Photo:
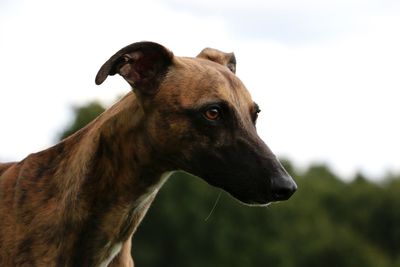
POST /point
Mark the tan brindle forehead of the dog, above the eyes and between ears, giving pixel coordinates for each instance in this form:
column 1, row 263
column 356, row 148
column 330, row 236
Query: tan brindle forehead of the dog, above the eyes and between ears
column 195, row 81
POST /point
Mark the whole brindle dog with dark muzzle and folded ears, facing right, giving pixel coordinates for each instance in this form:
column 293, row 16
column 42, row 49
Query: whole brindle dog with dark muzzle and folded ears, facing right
column 79, row 202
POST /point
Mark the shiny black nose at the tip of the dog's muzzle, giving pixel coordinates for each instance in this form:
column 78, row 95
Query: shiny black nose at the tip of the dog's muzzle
column 283, row 187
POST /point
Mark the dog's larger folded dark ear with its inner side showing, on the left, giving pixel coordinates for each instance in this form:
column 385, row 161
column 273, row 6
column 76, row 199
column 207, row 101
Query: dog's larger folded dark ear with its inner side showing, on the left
column 141, row 64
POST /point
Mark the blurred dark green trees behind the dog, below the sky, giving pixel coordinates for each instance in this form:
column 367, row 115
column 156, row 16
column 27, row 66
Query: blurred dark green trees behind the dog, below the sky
column 328, row 222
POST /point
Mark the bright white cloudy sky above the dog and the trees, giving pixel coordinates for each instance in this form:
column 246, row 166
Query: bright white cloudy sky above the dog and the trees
column 325, row 73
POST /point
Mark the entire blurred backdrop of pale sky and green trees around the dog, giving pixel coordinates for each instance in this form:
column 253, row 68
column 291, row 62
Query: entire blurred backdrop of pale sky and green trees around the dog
column 325, row 74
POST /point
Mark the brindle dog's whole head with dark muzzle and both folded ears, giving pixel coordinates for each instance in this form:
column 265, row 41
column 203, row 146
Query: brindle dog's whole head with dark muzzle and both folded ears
column 201, row 119
